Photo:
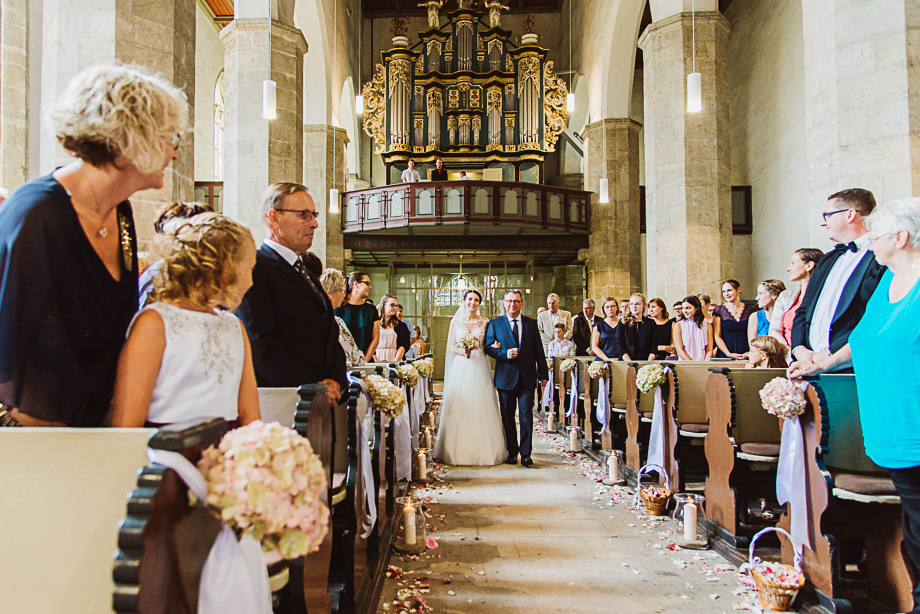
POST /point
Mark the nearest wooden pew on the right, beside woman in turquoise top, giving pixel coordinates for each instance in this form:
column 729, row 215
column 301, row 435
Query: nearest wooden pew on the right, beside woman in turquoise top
column 857, row 501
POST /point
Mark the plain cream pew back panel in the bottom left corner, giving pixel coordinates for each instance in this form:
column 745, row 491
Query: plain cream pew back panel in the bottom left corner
column 63, row 494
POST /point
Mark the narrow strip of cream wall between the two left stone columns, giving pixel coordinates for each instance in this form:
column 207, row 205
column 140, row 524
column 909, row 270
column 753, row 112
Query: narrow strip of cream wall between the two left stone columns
column 209, row 61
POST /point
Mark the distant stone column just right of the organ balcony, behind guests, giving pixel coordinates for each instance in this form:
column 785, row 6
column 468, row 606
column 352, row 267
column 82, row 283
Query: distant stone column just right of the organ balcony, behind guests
column 612, row 151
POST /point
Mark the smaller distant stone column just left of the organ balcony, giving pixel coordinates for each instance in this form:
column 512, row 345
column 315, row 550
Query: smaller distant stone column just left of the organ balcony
column 324, row 168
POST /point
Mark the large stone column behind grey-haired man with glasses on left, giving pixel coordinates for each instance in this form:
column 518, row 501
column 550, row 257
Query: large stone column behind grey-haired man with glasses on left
column 257, row 151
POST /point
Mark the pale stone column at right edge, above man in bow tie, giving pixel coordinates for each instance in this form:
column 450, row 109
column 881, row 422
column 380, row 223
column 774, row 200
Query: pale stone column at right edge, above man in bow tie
column 862, row 103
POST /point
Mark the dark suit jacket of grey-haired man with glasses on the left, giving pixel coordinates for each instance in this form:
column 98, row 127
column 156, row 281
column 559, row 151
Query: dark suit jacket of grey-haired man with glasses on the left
column 294, row 336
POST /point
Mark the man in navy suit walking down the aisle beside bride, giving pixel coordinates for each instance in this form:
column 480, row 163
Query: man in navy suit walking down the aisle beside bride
column 513, row 341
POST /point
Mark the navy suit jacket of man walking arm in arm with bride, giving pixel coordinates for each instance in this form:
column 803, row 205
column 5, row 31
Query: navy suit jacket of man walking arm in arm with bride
column 531, row 360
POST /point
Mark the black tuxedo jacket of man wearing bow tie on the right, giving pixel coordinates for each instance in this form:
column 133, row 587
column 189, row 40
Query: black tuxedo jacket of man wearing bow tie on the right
column 850, row 308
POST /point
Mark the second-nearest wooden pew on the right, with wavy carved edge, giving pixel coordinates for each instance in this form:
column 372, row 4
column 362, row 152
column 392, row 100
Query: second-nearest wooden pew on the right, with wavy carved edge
column 741, row 437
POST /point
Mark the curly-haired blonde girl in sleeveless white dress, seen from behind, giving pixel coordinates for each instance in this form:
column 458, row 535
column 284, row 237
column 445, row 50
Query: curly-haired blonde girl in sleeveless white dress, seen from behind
column 186, row 358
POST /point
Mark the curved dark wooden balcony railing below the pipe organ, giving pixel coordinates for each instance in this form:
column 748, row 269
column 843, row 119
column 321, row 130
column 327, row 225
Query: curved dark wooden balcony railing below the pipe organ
column 465, row 202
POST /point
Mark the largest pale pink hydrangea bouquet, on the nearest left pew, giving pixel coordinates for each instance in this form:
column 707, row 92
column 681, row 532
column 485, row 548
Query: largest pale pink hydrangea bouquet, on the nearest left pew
column 265, row 480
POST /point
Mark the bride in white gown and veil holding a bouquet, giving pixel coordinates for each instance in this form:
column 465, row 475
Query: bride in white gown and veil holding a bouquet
column 470, row 432
